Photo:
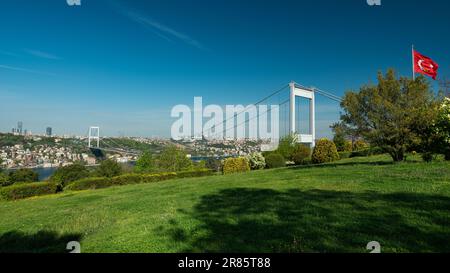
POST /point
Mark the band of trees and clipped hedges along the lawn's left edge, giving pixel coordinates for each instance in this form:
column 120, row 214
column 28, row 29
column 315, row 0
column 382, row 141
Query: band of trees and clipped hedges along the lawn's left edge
column 171, row 163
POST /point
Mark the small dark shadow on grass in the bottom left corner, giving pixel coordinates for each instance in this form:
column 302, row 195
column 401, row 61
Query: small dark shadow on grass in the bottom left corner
column 40, row 242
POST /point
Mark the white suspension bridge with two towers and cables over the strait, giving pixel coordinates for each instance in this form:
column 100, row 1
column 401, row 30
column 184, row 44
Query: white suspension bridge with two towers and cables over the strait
column 288, row 98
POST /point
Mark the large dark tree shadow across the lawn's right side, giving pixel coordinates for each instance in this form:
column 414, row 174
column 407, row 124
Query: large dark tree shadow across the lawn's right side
column 265, row 220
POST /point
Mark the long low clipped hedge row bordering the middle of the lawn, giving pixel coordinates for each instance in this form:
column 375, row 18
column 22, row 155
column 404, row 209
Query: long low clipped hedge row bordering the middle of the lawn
column 104, row 182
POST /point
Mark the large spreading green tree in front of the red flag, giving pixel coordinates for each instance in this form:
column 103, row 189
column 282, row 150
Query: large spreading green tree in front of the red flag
column 390, row 114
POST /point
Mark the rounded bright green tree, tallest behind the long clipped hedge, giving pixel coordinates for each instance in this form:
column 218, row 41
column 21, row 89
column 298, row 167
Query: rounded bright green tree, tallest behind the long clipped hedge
column 173, row 159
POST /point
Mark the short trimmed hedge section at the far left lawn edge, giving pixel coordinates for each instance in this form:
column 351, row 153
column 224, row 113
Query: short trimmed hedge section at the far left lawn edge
column 23, row 190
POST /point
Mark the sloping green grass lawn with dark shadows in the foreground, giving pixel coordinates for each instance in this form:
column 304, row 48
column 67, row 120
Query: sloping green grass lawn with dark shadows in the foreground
column 332, row 208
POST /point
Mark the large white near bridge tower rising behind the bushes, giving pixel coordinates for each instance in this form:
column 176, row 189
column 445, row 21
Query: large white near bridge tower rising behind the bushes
column 297, row 91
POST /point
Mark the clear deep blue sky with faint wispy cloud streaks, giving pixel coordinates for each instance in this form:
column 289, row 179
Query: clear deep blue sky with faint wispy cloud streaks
column 123, row 65
